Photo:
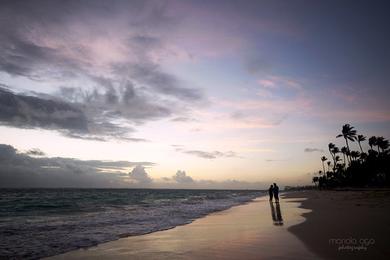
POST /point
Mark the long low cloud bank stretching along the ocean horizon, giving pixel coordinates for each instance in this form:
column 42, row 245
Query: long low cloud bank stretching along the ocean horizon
column 23, row 170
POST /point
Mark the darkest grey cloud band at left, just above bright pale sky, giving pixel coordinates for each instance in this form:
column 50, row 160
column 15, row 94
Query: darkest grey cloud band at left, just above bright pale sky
column 73, row 119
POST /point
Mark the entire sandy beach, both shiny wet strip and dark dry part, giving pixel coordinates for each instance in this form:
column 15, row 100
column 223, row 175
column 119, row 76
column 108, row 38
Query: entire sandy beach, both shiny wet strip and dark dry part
column 307, row 225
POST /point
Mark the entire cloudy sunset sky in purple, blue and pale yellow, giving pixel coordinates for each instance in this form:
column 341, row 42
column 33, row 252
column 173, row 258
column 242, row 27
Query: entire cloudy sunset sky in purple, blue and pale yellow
column 186, row 94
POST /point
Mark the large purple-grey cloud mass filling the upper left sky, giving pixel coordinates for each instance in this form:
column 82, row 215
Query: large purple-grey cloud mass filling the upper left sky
column 48, row 41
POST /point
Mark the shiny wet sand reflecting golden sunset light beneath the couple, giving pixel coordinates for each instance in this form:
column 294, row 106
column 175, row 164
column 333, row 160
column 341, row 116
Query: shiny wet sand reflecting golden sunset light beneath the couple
column 257, row 230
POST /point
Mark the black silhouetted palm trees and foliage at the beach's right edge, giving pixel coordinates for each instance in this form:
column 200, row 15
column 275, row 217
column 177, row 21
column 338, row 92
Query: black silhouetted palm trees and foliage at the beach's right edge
column 346, row 167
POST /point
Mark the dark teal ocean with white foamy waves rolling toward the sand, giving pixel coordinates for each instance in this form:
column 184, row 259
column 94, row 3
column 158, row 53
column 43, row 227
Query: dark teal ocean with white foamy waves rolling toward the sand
column 35, row 223
